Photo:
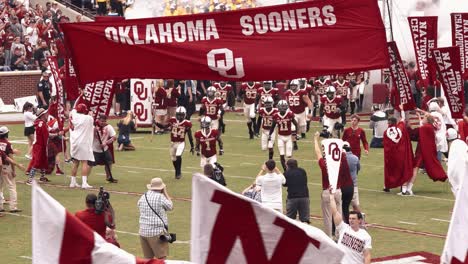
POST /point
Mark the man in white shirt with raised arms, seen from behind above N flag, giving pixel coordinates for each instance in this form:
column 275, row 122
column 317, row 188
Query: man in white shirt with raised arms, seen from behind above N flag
column 270, row 180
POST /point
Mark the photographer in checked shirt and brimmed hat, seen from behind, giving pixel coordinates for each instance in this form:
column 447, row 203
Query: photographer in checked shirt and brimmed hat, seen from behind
column 154, row 235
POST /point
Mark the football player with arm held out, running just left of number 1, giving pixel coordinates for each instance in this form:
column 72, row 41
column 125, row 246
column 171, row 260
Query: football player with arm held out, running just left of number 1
column 179, row 127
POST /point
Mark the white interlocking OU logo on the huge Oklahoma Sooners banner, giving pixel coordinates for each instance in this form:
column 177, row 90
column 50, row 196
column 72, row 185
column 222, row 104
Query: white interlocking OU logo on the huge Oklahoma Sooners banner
column 226, row 64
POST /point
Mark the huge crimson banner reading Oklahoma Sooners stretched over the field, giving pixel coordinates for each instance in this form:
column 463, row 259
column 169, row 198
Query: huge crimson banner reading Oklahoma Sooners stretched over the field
column 251, row 44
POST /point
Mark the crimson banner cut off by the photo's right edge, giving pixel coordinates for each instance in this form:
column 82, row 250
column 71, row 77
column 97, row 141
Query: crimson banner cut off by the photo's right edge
column 460, row 38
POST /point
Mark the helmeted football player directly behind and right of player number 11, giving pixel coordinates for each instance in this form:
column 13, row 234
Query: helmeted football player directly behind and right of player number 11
column 298, row 100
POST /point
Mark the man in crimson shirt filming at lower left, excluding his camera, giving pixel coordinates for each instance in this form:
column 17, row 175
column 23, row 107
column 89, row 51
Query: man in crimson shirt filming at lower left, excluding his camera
column 98, row 222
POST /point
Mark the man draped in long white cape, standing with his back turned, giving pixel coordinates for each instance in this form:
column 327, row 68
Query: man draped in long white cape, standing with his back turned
column 81, row 140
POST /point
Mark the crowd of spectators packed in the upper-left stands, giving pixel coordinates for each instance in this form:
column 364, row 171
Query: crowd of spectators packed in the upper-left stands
column 28, row 34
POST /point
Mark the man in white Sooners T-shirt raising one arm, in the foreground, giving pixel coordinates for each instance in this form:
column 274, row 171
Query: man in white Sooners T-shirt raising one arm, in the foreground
column 354, row 241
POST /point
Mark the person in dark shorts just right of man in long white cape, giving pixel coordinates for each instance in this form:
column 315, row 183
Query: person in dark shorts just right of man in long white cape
column 104, row 137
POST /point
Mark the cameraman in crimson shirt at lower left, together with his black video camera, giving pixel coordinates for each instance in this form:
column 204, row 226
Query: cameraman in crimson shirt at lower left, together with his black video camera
column 98, row 216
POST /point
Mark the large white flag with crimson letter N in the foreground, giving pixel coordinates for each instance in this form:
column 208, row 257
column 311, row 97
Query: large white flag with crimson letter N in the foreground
column 229, row 228
